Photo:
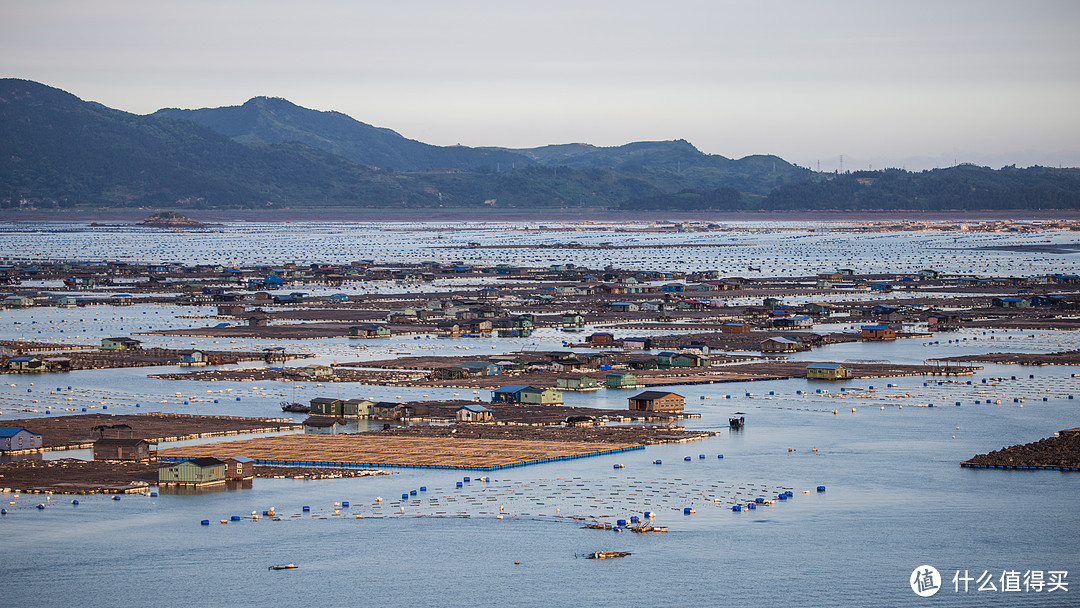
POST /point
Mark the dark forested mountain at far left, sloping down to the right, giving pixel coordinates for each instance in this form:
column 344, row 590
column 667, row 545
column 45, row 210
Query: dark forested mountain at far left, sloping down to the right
column 67, row 152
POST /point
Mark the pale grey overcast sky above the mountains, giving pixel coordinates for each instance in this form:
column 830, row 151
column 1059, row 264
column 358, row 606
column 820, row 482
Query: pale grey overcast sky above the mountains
column 911, row 85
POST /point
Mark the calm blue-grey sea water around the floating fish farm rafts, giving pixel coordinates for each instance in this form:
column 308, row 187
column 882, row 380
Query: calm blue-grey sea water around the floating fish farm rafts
column 896, row 496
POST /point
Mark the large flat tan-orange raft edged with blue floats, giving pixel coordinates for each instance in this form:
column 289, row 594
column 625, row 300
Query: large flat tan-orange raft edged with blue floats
column 371, row 451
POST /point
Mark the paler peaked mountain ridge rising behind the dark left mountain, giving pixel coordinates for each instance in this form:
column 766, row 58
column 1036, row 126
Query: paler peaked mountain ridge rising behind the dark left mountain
column 273, row 120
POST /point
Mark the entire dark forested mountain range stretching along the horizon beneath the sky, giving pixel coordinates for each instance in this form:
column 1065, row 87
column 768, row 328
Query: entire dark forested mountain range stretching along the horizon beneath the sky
column 60, row 152
